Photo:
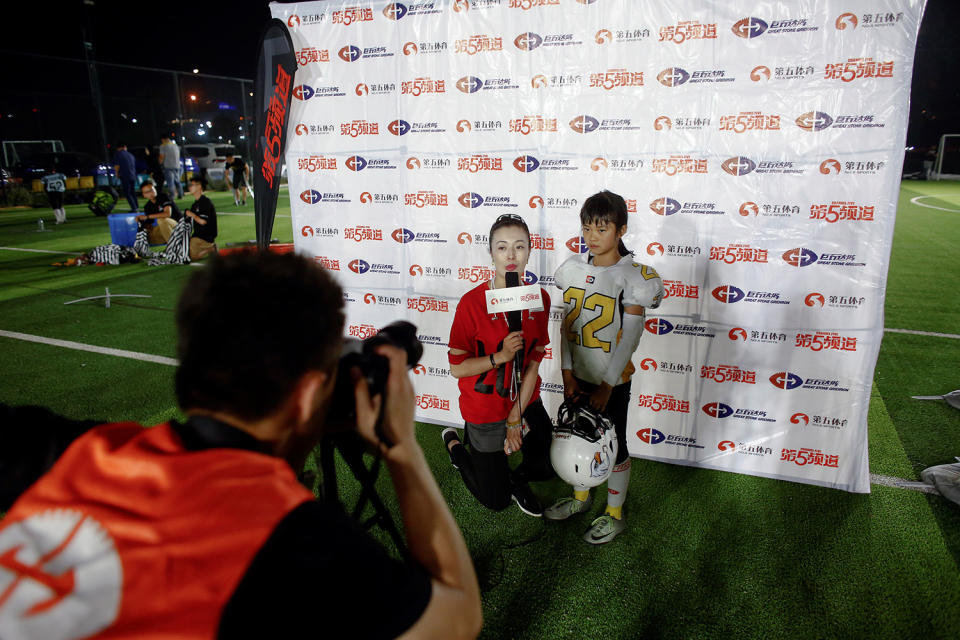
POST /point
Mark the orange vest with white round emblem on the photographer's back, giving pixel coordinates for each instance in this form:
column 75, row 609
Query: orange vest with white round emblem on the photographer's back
column 131, row 536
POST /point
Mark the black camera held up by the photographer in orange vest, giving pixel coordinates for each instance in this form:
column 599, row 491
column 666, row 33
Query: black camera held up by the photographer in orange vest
column 374, row 367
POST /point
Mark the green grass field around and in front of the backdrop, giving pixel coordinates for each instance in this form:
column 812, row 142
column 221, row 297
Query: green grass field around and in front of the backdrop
column 706, row 554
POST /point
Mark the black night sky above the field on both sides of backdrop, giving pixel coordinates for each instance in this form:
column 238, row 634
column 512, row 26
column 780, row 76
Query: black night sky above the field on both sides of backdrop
column 221, row 38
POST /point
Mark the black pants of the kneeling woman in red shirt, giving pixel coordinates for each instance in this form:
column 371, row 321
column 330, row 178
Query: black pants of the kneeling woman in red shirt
column 488, row 475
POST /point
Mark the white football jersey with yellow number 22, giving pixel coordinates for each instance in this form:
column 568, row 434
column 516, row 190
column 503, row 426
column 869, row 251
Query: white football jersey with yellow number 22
column 593, row 299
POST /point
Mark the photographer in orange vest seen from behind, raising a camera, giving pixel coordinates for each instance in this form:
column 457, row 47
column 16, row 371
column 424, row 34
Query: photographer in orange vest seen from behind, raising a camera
column 200, row 529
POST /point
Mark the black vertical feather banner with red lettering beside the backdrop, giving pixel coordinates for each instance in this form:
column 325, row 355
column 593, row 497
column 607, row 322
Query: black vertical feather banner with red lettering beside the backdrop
column 276, row 67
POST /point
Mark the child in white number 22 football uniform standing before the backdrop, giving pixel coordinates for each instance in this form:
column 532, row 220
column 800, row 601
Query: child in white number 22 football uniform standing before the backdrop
column 605, row 295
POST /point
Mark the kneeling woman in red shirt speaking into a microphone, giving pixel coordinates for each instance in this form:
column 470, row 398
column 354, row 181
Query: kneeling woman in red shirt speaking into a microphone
column 501, row 417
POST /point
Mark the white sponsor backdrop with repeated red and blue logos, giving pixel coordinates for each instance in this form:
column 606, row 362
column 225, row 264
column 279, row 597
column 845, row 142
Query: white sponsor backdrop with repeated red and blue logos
column 759, row 147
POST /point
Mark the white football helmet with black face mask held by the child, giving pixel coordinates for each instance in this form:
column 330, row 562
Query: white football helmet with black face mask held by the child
column 584, row 447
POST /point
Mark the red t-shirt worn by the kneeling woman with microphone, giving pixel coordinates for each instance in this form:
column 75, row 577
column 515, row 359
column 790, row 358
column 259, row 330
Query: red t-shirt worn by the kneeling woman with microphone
column 486, row 397
